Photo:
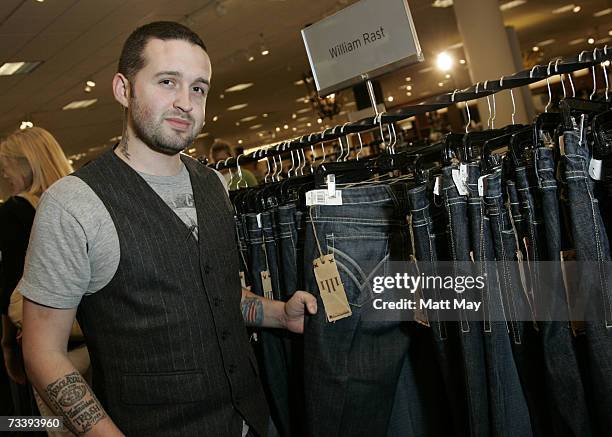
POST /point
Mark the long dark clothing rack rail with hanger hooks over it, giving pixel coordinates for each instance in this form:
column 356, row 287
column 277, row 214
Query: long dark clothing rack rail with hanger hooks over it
column 585, row 59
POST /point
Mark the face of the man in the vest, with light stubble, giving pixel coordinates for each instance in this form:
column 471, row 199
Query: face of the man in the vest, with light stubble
column 168, row 97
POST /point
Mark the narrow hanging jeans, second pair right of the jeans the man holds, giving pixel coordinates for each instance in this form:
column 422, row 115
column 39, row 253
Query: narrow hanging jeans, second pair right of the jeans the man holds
column 472, row 342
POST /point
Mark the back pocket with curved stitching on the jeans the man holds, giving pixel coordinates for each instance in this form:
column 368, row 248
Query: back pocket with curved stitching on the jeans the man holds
column 359, row 258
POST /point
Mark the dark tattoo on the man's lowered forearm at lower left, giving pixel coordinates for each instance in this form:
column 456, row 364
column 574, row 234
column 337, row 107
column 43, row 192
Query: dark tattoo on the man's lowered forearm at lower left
column 71, row 397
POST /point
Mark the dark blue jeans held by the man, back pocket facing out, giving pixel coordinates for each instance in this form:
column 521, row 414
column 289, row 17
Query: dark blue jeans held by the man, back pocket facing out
column 352, row 367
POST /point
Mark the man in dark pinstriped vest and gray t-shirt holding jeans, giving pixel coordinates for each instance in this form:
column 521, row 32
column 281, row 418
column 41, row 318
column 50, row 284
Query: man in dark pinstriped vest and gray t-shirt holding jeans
column 142, row 241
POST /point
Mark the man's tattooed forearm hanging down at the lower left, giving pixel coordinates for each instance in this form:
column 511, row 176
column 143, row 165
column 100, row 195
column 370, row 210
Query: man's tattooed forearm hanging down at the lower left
column 66, row 392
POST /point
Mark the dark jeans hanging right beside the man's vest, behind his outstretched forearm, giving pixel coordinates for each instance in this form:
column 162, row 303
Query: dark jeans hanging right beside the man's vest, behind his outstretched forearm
column 272, row 353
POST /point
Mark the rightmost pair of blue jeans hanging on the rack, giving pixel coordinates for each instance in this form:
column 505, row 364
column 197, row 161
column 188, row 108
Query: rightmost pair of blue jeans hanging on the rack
column 592, row 245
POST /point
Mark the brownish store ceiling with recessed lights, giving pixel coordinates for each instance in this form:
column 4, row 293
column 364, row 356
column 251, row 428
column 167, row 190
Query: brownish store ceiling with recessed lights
column 80, row 40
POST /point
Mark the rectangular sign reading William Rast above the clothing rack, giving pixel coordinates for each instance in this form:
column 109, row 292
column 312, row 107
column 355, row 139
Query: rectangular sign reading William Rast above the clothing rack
column 364, row 40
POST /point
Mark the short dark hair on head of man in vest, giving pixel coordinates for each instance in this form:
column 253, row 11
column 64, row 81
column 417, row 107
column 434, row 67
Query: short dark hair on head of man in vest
column 131, row 60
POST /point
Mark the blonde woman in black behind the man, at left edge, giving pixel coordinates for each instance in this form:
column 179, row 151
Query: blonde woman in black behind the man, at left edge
column 31, row 160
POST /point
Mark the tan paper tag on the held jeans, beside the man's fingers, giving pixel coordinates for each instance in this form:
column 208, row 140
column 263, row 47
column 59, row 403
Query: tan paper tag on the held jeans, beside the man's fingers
column 331, row 288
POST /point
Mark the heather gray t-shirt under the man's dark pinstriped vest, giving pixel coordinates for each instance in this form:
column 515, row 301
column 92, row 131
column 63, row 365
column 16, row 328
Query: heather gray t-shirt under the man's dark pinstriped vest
column 74, row 247
